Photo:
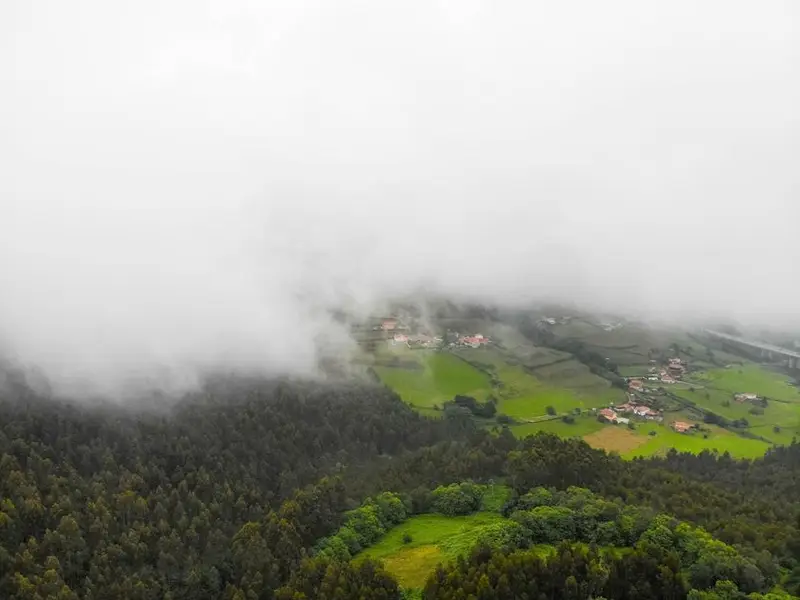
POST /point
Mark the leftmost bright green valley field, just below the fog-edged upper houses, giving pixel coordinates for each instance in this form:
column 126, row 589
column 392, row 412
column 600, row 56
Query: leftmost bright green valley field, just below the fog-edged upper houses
column 440, row 377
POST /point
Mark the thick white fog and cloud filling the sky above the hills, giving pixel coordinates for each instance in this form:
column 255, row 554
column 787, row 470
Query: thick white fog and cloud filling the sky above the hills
column 186, row 182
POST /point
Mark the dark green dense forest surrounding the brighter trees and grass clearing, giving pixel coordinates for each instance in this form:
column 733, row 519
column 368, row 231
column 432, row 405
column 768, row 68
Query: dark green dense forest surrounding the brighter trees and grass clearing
column 228, row 494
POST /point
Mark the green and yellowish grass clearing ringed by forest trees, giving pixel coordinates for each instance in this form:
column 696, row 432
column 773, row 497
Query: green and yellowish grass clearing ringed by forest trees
column 434, row 539
